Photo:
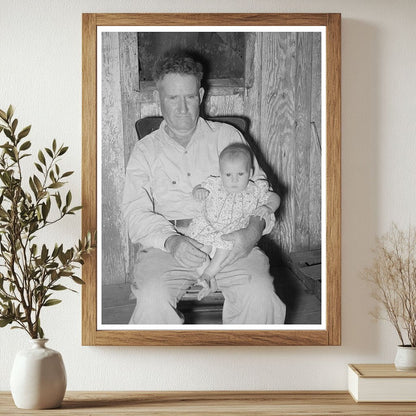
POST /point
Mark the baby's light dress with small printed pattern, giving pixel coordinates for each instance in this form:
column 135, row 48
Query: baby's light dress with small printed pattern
column 223, row 212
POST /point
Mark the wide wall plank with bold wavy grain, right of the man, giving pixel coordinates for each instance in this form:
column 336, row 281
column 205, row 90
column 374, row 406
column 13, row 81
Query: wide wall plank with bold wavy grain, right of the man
column 277, row 127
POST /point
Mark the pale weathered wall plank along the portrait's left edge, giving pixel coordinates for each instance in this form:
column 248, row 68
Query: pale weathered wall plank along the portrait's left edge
column 113, row 236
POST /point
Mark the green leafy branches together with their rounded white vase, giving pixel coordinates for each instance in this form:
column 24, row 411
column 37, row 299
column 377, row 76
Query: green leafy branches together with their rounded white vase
column 31, row 273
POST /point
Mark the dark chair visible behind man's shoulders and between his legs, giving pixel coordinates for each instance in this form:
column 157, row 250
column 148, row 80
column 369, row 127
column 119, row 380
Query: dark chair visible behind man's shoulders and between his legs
column 209, row 309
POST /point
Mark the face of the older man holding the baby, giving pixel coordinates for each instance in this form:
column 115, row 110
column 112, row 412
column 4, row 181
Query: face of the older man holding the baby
column 180, row 98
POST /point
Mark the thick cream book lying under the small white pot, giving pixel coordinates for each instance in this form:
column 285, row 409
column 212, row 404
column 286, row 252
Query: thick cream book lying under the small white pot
column 381, row 383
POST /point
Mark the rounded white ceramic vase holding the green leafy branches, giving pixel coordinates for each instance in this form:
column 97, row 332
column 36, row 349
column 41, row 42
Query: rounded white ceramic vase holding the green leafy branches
column 38, row 377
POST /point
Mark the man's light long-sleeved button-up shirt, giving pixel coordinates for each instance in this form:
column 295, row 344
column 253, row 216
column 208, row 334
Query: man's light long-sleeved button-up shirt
column 161, row 174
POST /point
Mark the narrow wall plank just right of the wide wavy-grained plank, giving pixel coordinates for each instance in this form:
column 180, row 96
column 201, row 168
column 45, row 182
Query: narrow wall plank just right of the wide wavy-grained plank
column 303, row 87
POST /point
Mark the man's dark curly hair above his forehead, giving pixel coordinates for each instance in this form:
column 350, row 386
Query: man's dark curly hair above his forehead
column 177, row 62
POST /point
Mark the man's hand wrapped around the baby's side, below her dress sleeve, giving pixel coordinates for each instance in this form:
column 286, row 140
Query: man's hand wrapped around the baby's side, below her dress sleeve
column 244, row 240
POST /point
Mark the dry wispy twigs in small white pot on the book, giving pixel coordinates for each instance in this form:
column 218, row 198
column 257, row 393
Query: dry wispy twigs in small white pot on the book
column 393, row 277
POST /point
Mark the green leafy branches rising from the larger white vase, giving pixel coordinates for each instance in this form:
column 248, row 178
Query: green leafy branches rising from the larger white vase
column 30, row 272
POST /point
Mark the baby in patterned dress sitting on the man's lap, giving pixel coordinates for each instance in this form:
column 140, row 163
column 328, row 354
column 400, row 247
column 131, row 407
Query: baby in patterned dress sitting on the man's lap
column 228, row 202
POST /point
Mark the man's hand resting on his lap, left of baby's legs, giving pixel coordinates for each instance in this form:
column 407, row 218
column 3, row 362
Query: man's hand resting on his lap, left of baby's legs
column 186, row 251
